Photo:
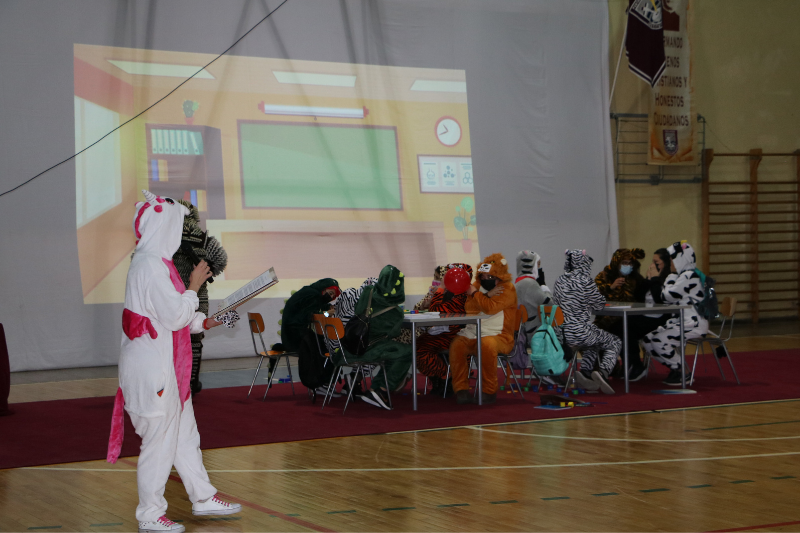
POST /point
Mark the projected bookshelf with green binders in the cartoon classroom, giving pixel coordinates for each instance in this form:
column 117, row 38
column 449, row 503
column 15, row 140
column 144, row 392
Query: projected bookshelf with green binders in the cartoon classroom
column 185, row 162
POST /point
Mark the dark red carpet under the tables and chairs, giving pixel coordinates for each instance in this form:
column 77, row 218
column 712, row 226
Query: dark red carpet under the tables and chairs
column 77, row 430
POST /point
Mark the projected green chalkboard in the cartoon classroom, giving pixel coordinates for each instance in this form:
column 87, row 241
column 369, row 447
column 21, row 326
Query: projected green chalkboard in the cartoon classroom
column 291, row 165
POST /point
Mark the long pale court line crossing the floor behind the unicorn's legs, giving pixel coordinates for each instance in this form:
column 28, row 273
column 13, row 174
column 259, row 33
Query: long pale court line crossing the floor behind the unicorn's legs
column 441, row 468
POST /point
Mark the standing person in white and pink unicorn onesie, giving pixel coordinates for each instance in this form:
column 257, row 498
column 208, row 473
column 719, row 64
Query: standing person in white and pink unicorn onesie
column 155, row 367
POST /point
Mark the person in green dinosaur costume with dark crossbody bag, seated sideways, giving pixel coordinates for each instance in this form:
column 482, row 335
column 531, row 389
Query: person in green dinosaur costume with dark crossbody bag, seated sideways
column 388, row 293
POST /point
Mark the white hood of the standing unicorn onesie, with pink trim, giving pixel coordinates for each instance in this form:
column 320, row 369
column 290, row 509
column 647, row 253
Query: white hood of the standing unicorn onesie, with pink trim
column 158, row 225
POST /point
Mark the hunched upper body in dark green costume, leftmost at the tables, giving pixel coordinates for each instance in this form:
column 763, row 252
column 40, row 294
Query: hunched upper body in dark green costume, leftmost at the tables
column 301, row 308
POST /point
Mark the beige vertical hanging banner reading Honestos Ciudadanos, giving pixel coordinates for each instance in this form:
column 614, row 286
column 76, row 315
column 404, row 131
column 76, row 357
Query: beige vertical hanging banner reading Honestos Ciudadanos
column 671, row 122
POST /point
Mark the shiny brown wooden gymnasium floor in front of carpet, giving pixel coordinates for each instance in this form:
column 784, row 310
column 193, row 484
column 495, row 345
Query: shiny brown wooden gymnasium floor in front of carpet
column 734, row 467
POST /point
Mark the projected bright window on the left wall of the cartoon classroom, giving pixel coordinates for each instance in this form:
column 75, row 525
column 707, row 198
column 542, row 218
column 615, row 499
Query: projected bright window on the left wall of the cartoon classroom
column 98, row 172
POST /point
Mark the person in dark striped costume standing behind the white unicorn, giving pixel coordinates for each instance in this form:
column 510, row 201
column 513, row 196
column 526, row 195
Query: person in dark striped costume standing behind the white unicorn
column 197, row 245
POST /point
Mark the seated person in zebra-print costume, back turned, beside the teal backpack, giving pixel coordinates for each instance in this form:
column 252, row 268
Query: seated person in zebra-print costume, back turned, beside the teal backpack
column 576, row 293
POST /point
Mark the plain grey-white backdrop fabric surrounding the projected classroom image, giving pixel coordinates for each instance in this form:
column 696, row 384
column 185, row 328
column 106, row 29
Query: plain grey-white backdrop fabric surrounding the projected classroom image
column 537, row 78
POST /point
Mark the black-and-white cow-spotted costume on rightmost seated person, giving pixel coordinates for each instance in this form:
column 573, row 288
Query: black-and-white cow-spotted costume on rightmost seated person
column 683, row 288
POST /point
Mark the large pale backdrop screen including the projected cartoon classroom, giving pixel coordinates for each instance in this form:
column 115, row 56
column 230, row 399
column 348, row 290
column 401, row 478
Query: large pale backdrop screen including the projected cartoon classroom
column 335, row 138
